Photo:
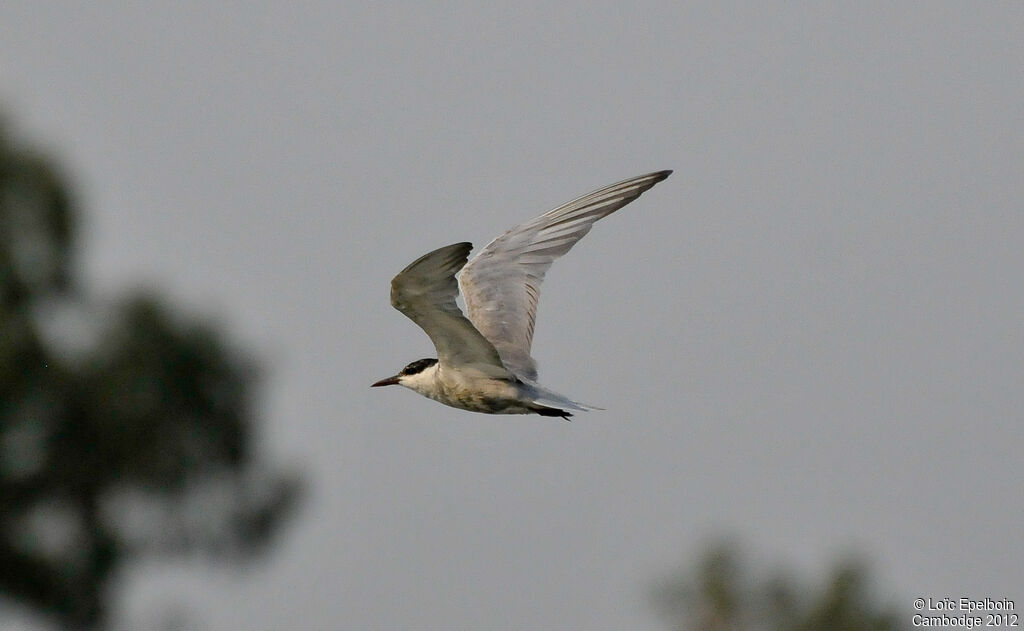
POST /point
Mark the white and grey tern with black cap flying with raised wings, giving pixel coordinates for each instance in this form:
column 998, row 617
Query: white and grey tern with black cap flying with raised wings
column 484, row 359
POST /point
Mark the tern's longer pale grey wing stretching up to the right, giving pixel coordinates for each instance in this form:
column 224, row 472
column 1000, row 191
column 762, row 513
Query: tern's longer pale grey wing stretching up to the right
column 502, row 284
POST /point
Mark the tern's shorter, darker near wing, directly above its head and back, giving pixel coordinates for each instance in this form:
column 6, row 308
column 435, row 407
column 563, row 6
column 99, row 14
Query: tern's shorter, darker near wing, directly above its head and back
column 426, row 291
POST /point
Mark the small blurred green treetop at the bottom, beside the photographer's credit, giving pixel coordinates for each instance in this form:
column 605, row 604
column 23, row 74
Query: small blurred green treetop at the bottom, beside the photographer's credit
column 724, row 595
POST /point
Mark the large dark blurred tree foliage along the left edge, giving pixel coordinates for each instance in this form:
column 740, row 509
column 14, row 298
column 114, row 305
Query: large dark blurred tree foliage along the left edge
column 138, row 439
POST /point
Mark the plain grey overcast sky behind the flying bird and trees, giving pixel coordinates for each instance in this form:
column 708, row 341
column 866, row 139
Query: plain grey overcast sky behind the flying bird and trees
column 809, row 338
